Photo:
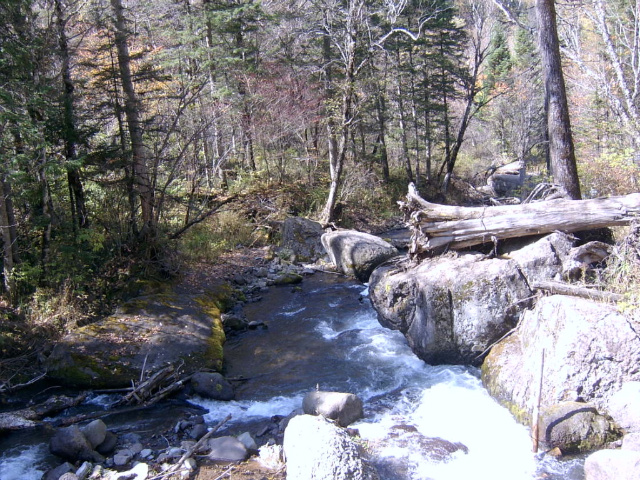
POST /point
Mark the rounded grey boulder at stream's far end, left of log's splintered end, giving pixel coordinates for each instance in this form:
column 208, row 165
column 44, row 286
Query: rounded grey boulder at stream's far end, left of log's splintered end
column 357, row 253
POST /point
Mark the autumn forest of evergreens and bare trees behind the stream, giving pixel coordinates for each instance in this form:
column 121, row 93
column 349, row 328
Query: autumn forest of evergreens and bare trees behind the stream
column 136, row 137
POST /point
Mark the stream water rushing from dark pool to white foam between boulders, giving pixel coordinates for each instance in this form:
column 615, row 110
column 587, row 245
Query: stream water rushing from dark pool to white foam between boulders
column 325, row 335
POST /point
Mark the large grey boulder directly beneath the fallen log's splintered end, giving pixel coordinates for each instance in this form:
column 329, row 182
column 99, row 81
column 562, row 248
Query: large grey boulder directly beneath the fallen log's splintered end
column 450, row 308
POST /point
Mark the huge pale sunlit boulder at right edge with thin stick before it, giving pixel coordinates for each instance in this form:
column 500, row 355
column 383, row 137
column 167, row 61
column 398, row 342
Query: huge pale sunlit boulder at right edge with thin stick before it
column 590, row 350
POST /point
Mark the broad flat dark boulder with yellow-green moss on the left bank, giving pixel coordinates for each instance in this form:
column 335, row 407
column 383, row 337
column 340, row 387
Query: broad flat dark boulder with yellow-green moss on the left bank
column 145, row 333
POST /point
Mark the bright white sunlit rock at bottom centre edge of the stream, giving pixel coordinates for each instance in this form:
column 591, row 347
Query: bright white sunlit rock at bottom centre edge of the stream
column 316, row 449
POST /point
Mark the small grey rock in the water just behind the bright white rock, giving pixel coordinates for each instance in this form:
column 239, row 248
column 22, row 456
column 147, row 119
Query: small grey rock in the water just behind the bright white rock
column 345, row 408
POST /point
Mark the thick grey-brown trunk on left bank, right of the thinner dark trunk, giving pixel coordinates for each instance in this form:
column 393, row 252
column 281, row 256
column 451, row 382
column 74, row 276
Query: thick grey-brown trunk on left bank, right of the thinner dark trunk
column 142, row 183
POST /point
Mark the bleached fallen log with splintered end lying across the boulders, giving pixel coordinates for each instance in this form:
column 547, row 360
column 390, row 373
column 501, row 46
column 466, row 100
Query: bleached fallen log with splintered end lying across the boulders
column 437, row 226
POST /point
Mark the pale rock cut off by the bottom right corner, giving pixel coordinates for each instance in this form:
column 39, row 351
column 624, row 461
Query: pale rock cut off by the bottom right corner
column 612, row 465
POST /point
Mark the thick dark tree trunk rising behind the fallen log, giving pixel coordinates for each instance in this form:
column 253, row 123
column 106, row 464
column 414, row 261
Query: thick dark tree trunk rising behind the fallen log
column 561, row 149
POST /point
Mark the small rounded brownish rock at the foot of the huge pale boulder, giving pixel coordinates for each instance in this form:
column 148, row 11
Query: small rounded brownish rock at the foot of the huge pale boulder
column 575, row 427
